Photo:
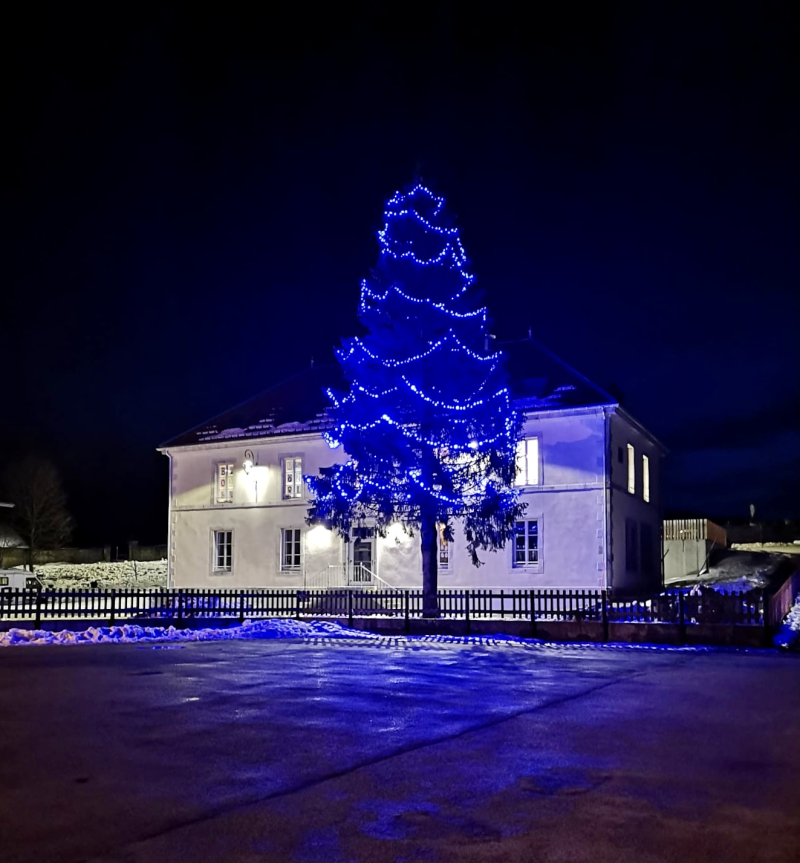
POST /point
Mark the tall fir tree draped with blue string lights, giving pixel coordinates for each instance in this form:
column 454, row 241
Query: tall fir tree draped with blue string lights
column 428, row 424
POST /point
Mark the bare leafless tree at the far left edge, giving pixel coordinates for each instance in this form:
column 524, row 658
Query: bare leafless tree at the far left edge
column 40, row 514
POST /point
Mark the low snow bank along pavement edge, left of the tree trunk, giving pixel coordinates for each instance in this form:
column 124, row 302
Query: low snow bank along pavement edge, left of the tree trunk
column 131, row 633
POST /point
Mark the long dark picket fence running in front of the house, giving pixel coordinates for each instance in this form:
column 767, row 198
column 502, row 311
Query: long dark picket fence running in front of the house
column 683, row 608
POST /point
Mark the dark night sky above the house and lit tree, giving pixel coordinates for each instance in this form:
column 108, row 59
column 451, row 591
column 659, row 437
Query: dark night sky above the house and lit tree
column 190, row 202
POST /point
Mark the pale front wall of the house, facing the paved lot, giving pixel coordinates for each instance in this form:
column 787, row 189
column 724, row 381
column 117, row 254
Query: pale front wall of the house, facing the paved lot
column 569, row 503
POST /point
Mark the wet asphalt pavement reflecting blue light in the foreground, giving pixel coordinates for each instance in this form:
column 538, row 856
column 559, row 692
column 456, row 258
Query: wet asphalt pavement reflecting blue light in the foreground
column 395, row 750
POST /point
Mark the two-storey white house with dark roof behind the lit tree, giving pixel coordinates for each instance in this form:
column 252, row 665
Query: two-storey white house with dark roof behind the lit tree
column 590, row 474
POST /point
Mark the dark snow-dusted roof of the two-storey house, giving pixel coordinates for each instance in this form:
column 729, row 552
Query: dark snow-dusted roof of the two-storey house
column 539, row 381
